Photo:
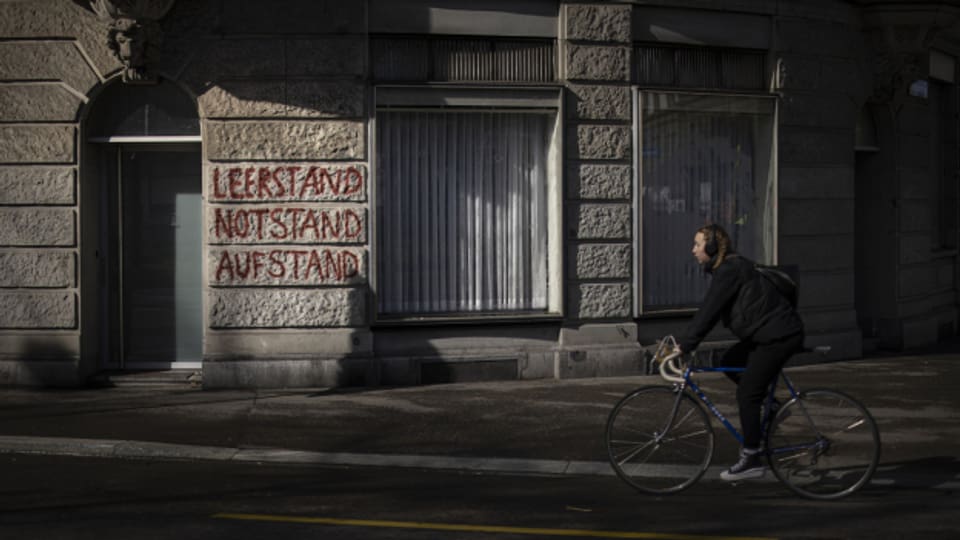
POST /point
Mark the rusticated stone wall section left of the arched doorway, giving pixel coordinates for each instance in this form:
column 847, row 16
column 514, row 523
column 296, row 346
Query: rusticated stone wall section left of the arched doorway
column 52, row 54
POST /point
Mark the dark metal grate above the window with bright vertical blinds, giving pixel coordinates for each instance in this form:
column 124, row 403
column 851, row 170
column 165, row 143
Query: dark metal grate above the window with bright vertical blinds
column 444, row 59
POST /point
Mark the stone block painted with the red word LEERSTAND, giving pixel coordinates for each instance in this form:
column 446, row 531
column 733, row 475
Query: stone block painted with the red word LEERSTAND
column 294, row 182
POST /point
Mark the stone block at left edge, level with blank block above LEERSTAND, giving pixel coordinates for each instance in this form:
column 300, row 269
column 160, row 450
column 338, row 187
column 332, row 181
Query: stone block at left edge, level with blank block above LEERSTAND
column 37, row 144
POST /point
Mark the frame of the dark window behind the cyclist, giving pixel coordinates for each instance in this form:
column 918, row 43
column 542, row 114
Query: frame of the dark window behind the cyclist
column 639, row 309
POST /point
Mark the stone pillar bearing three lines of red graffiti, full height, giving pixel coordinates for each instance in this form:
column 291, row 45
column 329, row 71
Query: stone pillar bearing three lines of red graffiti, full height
column 286, row 170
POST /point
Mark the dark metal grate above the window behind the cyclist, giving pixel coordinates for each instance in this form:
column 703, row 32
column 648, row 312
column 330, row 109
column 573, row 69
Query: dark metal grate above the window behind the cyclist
column 688, row 67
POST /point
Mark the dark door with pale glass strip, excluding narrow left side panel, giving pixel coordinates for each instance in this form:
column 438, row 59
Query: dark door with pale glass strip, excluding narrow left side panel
column 161, row 280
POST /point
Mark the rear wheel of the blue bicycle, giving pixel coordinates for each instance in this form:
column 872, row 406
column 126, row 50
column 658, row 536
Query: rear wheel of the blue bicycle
column 824, row 445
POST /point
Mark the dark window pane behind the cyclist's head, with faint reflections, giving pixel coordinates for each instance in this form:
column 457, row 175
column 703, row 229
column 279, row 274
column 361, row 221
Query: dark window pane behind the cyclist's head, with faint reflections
column 705, row 159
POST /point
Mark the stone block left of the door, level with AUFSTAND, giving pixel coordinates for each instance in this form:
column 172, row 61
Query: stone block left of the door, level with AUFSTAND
column 37, row 269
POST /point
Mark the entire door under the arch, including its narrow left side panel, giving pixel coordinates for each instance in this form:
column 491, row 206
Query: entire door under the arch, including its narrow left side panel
column 152, row 234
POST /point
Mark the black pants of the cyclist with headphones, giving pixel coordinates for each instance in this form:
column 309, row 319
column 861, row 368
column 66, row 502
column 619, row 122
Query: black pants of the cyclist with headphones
column 763, row 362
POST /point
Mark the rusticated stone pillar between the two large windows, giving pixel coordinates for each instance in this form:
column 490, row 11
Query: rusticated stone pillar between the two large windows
column 600, row 335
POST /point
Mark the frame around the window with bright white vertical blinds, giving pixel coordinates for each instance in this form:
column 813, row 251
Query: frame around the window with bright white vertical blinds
column 475, row 98
